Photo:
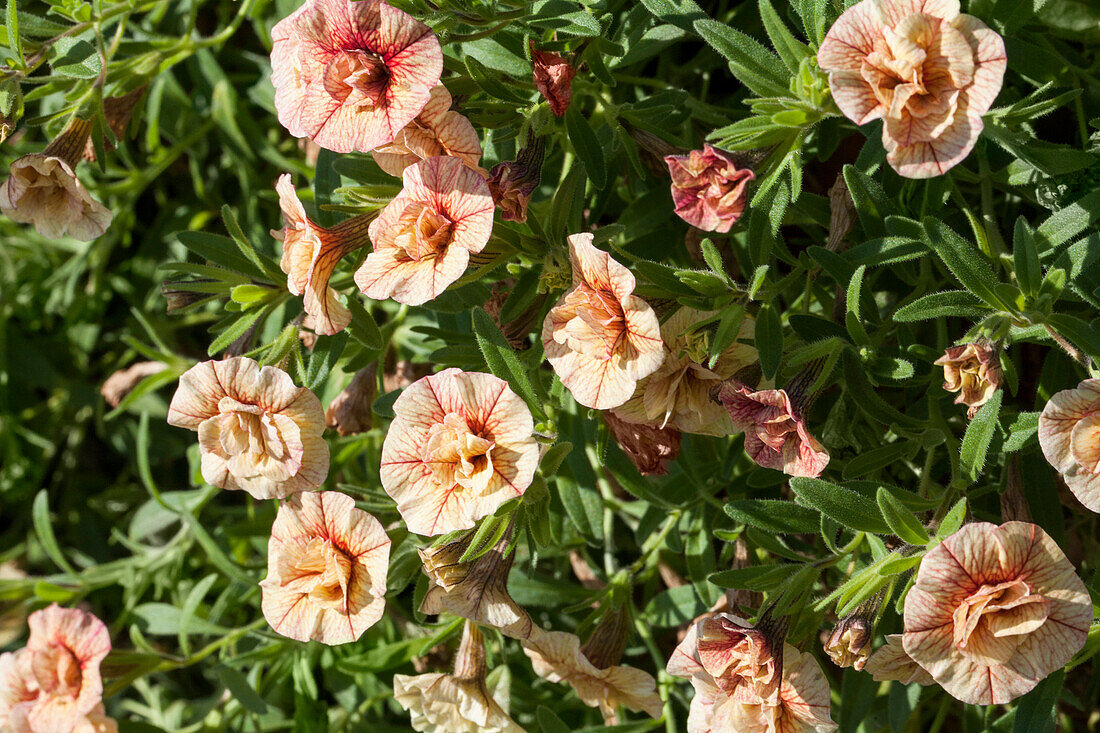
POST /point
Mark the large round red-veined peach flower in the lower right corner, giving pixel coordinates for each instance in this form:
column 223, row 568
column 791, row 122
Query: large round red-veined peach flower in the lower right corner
column 994, row 610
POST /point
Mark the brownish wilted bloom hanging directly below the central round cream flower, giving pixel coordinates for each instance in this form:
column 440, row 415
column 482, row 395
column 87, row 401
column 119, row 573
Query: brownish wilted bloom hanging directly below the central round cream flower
column 477, row 589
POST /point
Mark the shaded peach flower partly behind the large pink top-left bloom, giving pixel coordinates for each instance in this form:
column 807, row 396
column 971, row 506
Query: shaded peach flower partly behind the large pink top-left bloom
column 437, row 130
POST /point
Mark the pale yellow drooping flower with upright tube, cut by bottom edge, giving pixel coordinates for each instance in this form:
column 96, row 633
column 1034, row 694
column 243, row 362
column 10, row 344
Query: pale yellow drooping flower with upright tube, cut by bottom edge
column 459, row 703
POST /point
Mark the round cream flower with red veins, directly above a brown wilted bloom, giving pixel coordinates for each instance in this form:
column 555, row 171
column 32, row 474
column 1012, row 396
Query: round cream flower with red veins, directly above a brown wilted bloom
column 461, row 444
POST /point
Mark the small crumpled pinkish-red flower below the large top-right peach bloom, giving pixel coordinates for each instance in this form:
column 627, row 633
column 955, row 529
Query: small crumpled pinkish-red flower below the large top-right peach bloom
column 710, row 190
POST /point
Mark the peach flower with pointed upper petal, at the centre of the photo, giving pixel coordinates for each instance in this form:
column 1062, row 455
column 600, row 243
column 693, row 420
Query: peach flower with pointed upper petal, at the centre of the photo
column 600, row 337
